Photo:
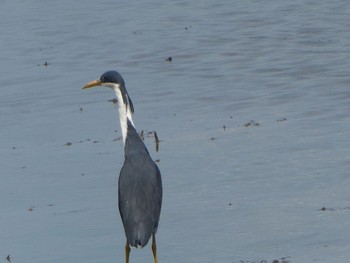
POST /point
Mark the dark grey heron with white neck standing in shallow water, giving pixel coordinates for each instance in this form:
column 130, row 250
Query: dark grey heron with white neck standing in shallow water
column 140, row 183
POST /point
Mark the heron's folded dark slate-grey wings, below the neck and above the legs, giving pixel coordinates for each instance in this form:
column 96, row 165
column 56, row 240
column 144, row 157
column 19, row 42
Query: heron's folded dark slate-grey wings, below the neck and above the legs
column 140, row 199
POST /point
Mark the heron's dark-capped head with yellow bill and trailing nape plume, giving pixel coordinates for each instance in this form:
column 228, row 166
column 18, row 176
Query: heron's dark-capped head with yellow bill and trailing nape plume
column 112, row 79
